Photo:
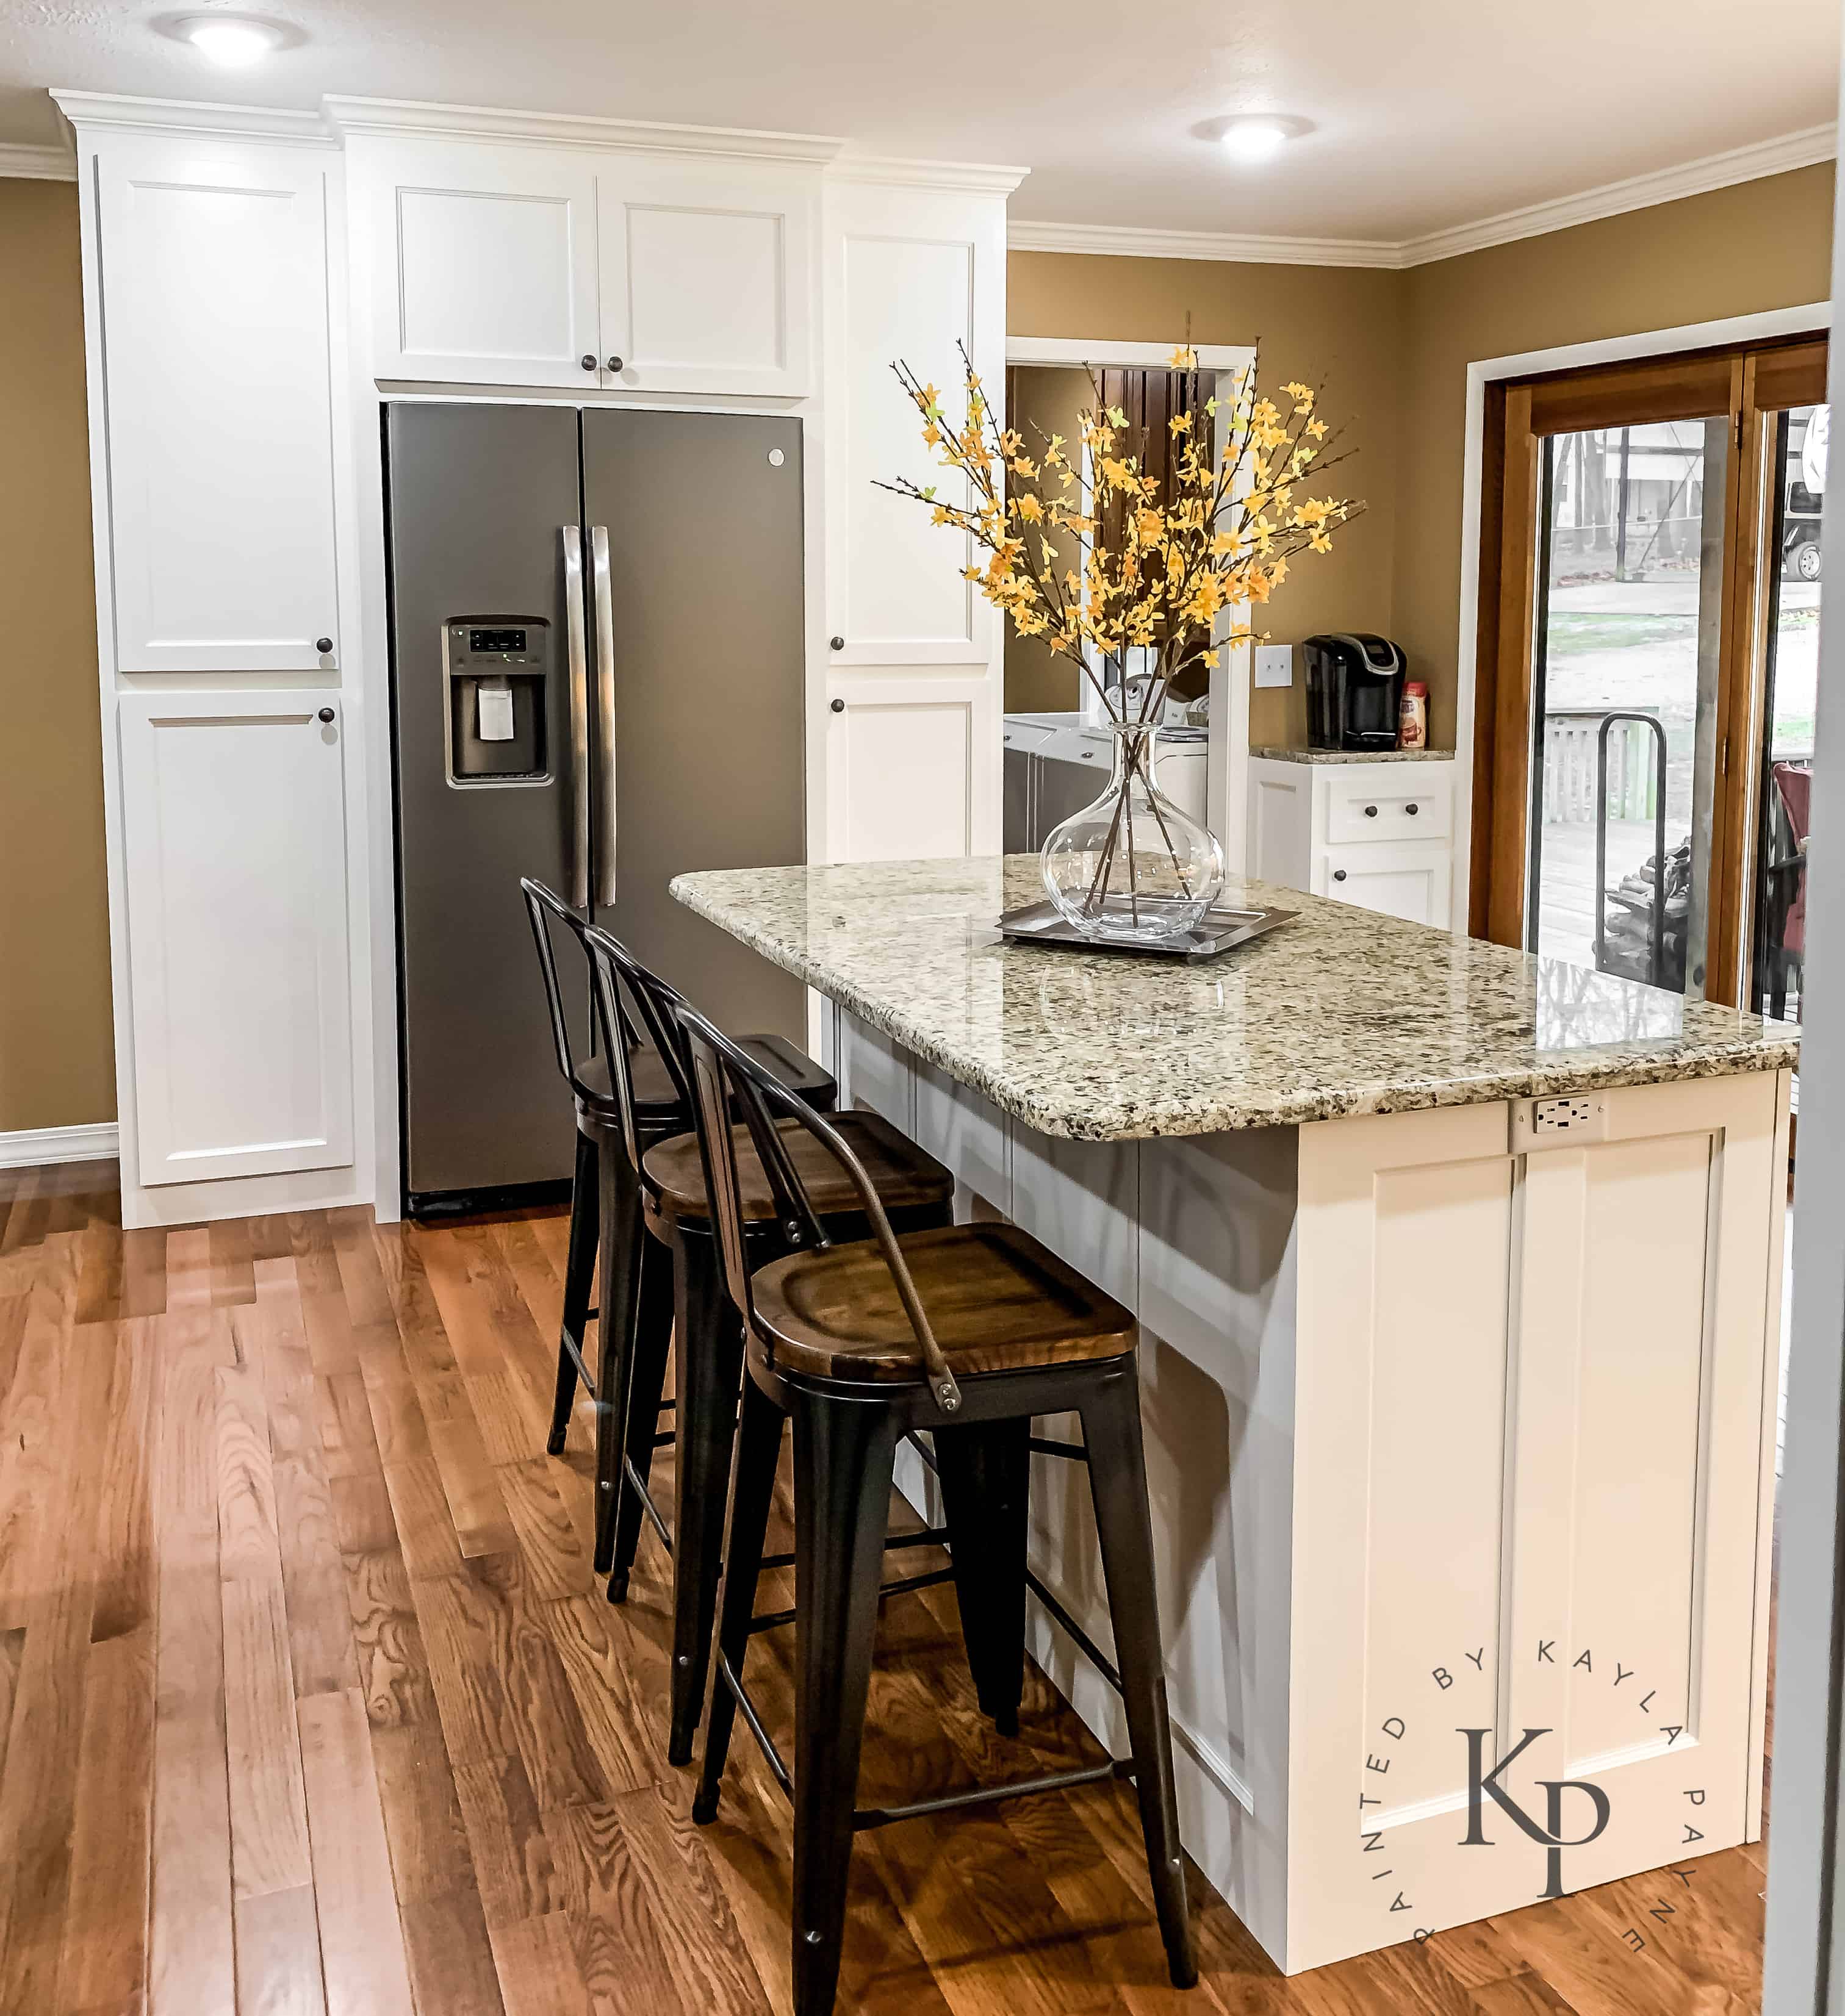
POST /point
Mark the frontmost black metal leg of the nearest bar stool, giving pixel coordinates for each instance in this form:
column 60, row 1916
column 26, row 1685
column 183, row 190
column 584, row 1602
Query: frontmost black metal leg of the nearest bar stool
column 844, row 1455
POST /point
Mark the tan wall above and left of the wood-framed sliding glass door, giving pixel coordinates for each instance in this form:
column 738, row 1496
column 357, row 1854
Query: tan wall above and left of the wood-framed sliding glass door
column 1763, row 245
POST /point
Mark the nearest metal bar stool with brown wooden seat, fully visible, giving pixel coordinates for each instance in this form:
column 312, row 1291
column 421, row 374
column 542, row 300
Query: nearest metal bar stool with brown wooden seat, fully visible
column 967, row 1332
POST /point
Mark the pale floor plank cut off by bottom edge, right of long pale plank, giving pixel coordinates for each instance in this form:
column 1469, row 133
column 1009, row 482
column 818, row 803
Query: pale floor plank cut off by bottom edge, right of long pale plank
column 362, row 1940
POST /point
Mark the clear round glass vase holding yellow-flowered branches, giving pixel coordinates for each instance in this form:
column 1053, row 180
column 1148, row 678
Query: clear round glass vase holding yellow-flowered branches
column 1134, row 866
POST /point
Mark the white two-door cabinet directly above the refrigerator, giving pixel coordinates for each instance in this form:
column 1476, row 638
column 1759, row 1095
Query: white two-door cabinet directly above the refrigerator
column 582, row 269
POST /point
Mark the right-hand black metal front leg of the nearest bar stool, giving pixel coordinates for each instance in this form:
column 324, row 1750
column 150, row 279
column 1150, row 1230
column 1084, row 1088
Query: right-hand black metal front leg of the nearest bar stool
column 1118, row 1481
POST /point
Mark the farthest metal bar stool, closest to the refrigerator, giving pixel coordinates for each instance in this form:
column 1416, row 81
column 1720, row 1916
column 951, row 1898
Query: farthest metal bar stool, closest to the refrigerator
column 606, row 1201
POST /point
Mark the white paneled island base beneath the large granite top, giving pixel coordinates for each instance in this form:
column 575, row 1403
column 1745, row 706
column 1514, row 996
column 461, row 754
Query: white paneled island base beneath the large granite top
column 1439, row 1436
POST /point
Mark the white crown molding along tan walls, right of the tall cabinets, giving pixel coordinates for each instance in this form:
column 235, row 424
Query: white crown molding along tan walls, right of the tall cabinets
column 1507, row 227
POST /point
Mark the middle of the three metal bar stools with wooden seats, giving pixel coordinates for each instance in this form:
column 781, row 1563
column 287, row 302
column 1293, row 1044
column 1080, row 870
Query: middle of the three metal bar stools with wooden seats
column 709, row 1346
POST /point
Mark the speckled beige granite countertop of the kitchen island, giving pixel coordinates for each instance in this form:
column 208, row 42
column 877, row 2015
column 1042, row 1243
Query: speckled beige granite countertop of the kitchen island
column 1338, row 1013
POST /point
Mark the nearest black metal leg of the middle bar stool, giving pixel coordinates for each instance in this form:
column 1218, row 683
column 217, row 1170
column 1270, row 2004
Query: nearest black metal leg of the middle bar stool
column 711, row 1370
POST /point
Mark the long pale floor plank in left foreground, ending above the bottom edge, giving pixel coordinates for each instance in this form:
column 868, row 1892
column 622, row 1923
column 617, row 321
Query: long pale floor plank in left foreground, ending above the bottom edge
column 263, row 1745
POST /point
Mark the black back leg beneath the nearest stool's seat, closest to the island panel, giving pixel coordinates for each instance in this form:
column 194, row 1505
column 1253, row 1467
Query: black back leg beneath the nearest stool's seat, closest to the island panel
column 985, row 1477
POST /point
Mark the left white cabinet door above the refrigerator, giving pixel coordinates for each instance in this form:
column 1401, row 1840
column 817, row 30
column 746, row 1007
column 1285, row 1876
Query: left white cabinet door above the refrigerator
column 483, row 261
